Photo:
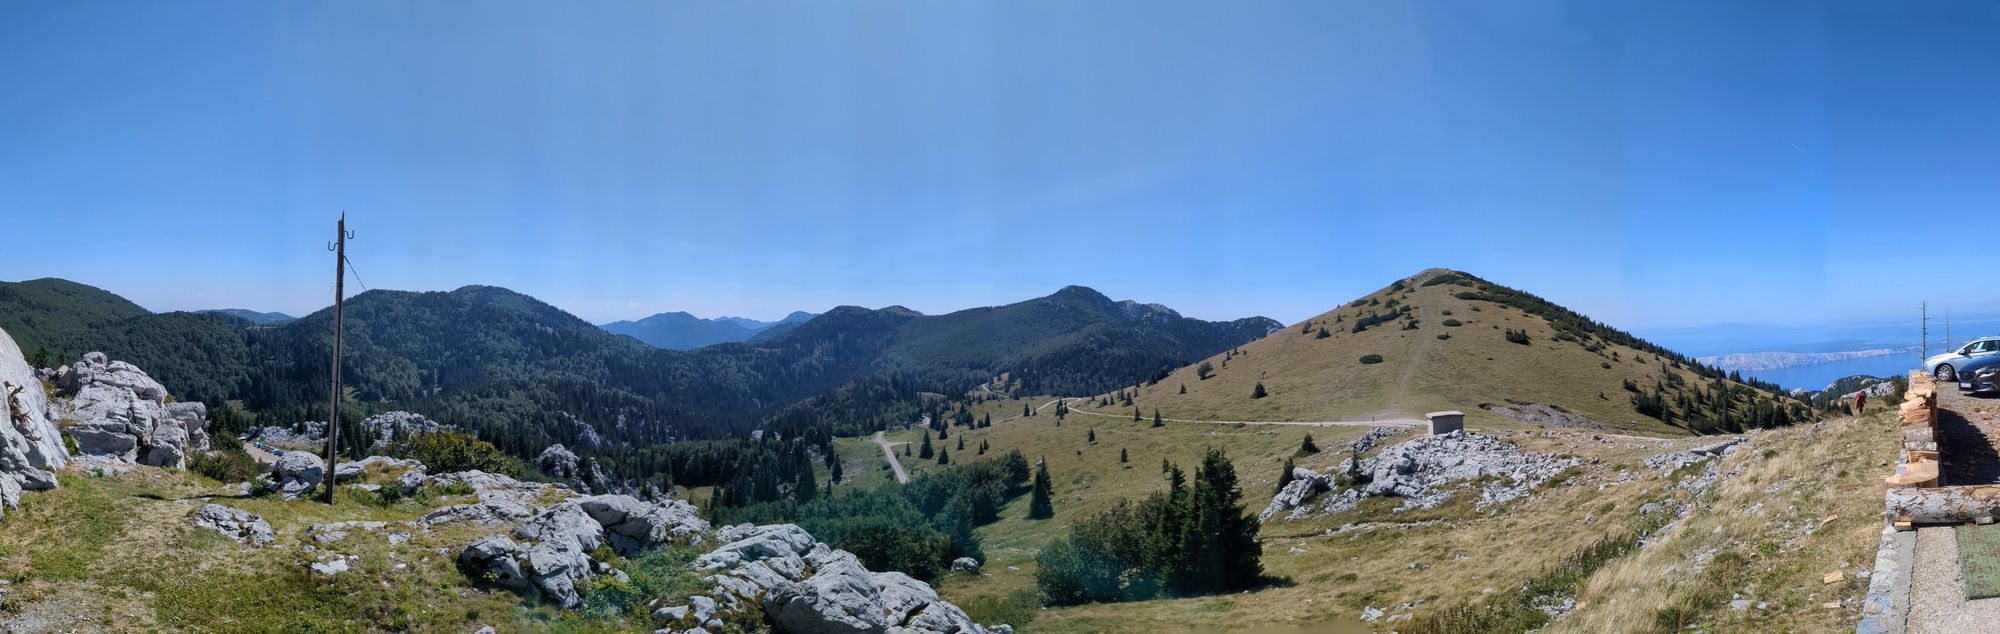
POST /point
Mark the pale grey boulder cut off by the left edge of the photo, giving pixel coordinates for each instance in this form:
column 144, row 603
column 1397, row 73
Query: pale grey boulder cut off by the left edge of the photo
column 31, row 447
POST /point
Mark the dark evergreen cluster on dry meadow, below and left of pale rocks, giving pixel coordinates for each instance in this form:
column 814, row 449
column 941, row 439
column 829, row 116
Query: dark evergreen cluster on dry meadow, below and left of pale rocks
column 1193, row 539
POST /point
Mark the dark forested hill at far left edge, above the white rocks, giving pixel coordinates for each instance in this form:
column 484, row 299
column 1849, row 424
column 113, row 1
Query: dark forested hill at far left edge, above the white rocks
column 43, row 313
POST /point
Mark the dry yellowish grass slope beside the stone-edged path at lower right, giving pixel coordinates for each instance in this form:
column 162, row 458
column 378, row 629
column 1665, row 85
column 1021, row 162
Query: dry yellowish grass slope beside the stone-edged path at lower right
column 1769, row 531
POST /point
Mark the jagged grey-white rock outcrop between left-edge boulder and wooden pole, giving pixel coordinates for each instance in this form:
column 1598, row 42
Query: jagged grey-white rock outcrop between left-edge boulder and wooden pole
column 117, row 411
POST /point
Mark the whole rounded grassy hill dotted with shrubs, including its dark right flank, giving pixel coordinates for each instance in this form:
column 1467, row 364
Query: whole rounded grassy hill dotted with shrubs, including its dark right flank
column 1449, row 341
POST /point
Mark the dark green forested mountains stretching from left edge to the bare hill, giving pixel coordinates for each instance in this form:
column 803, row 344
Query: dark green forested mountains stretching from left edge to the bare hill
column 527, row 375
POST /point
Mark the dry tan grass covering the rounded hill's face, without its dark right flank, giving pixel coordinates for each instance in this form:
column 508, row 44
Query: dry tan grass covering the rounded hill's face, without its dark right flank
column 1323, row 379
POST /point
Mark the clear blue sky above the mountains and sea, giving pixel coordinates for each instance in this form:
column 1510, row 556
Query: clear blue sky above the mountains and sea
column 1653, row 165
